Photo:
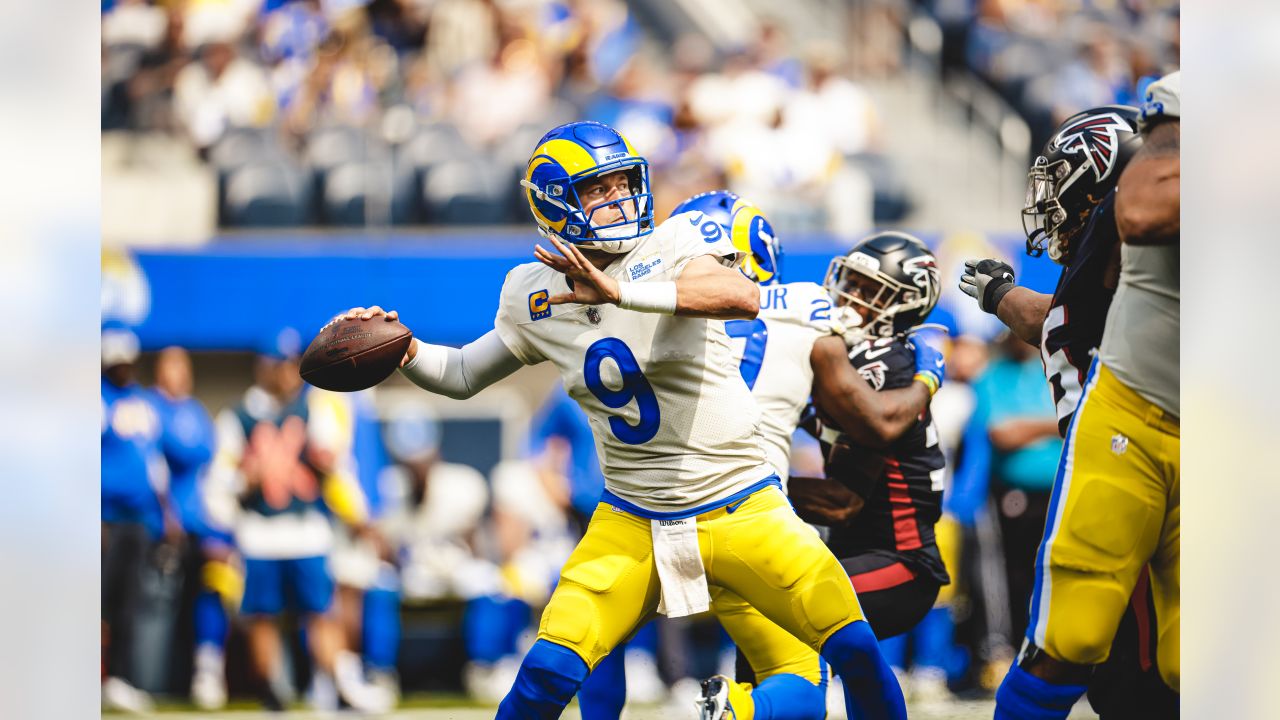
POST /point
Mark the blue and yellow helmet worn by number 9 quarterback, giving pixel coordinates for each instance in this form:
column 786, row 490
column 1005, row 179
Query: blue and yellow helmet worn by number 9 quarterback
column 564, row 160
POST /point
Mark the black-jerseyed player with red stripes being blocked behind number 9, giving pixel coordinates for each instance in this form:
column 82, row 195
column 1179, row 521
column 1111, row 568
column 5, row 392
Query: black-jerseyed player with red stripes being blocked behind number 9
column 883, row 503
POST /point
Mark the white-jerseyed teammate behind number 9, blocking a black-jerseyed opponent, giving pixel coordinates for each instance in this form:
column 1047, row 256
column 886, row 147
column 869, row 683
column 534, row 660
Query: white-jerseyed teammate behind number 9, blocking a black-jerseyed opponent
column 792, row 350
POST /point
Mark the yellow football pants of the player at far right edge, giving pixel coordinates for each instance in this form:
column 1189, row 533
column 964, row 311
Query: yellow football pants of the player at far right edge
column 1116, row 507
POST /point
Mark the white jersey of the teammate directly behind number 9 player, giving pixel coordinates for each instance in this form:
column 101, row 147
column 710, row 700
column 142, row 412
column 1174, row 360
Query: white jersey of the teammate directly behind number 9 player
column 774, row 353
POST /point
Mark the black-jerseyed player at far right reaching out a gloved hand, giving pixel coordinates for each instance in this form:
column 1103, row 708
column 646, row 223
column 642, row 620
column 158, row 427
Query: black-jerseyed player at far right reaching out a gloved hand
column 1071, row 213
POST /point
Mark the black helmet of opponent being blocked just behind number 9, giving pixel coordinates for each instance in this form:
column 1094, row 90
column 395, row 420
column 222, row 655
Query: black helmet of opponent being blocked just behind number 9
column 893, row 276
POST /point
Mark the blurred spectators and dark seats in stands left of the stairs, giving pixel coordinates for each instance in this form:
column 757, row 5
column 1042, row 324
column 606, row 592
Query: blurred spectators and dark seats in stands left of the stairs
column 424, row 112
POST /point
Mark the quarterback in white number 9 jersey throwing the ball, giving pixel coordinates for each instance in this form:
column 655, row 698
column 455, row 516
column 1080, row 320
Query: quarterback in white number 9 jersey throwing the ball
column 632, row 317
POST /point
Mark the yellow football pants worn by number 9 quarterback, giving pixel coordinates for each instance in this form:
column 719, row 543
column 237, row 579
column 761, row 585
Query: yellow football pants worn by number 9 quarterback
column 761, row 555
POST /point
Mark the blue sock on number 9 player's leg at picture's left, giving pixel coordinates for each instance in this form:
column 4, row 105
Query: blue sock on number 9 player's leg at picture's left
column 547, row 682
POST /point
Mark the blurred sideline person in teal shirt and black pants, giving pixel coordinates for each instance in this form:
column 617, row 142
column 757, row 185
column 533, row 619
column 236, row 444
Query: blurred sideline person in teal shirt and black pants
column 1016, row 408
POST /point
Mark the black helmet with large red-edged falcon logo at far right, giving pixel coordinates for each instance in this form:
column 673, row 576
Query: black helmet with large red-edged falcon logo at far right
column 1078, row 168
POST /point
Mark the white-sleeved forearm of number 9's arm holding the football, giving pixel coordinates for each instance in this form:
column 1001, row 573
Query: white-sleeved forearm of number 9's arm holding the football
column 461, row 373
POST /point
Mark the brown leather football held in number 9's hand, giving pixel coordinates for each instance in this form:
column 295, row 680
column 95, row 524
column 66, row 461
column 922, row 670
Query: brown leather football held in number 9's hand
column 350, row 356
